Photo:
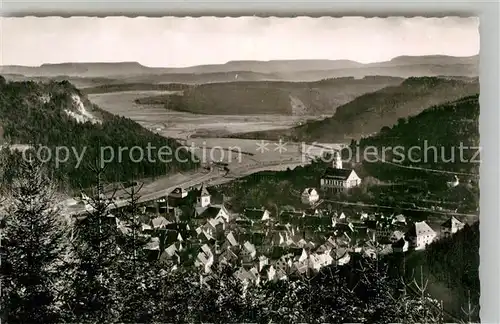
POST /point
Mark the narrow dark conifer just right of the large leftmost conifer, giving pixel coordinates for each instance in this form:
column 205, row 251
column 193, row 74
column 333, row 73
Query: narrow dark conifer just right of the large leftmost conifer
column 92, row 297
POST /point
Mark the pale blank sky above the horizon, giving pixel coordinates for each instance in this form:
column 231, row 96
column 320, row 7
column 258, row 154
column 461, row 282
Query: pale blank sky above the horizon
column 188, row 41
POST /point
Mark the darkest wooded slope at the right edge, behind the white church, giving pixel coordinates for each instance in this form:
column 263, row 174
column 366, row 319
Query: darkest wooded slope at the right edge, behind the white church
column 444, row 126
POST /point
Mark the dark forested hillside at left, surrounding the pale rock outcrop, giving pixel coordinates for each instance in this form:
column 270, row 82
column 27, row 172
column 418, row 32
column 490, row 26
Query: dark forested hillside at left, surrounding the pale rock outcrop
column 34, row 114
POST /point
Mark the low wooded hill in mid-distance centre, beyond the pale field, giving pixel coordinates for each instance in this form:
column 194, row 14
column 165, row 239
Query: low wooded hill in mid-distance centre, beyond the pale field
column 266, row 97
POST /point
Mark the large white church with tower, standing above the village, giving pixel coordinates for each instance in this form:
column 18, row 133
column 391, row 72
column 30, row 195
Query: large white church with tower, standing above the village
column 336, row 179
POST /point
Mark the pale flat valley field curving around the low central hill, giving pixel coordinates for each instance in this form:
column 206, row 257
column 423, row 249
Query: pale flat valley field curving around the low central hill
column 182, row 124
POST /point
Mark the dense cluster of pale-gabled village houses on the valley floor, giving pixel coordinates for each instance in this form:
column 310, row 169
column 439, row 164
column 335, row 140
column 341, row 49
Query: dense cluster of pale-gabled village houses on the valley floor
column 192, row 229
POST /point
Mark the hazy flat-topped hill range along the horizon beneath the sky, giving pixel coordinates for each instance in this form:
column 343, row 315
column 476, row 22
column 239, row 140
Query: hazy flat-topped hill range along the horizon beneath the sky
column 277, row 70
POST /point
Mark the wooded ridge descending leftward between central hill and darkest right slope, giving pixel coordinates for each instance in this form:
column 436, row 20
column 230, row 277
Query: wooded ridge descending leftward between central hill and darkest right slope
column 368, row 113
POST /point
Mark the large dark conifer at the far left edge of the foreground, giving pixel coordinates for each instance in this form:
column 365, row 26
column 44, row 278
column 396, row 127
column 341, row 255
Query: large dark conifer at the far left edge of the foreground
column 33, row 250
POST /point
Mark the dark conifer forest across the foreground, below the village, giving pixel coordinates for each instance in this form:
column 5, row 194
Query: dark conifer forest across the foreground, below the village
column 87, row 271
